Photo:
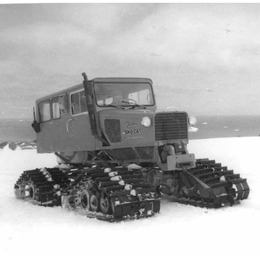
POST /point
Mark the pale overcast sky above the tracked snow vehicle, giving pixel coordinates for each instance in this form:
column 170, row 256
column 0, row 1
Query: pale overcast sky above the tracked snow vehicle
column 202, row 58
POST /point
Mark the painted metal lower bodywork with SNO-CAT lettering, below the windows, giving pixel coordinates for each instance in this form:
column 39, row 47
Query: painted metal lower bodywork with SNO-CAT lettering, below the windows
column 73, row 133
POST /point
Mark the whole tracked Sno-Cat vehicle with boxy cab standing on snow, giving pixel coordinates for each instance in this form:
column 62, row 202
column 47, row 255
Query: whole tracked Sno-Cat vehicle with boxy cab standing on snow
column 118, row 155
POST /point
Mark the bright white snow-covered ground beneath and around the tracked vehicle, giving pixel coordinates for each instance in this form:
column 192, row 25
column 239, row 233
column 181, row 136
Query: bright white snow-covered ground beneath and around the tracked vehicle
column 32, row 232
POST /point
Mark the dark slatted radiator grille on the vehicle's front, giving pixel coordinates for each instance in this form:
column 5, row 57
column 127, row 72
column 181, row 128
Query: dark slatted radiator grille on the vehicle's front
column 170, row 126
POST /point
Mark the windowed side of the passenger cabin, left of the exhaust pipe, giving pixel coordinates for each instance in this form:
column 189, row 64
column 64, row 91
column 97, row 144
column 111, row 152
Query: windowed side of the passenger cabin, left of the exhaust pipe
column 64, row 124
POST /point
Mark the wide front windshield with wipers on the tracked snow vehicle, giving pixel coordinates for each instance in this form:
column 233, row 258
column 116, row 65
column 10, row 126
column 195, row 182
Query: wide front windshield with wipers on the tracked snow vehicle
column 124, row 94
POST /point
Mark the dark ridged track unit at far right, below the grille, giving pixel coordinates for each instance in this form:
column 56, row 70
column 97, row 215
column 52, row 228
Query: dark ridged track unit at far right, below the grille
column 211, row 185
